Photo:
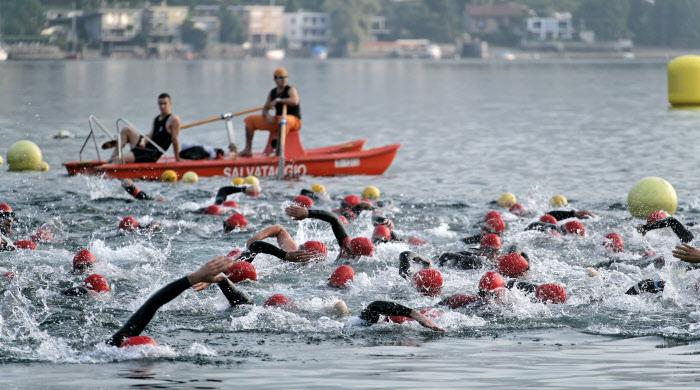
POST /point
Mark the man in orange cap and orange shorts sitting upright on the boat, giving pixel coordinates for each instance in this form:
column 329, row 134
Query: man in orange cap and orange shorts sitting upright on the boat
column 282, row 94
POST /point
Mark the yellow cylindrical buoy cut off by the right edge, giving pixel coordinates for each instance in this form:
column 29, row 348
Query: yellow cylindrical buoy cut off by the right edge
column 684, row 81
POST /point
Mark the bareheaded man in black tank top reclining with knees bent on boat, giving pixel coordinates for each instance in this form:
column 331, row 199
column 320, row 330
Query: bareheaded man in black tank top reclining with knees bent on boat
column 165, row 131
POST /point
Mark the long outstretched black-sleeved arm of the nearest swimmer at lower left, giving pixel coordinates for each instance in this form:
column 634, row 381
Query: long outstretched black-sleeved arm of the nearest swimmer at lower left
column 211, row 272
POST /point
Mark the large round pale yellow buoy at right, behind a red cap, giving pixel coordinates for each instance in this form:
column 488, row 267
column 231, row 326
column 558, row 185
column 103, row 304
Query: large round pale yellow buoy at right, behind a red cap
column 651, row 194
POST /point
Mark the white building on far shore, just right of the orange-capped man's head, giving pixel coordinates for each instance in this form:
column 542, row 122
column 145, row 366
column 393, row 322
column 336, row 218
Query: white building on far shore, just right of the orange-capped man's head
column 305, row 30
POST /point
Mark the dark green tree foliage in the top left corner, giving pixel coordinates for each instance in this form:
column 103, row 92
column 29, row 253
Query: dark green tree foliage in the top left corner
column 22, row 17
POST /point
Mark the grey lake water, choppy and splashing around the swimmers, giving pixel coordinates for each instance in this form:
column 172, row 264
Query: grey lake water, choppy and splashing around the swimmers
column 469, row 131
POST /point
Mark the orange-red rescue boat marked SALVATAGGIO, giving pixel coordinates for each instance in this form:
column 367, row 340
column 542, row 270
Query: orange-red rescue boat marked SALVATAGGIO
column 348, row 158
